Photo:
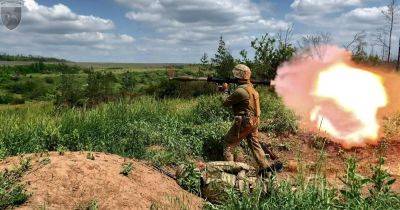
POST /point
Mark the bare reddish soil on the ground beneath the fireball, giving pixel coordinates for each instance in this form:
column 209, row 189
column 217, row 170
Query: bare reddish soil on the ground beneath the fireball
column 301, row 153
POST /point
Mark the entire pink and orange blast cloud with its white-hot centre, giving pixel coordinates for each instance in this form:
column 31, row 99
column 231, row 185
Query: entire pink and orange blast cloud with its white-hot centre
column 333, row 95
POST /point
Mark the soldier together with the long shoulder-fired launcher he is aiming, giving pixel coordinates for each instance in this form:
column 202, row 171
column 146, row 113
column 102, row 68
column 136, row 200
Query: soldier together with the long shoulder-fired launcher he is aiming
column 245, row 103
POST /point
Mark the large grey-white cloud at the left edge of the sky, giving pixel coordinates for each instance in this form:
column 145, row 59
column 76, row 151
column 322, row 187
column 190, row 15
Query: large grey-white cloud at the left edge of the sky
column 58, row 31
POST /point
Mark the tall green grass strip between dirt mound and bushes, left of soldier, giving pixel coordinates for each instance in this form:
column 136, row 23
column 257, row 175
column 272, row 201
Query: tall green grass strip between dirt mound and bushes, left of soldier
column 180, row 128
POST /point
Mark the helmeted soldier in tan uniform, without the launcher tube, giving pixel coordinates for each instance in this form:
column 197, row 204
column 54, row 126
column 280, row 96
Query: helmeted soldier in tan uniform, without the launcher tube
column 246, row 108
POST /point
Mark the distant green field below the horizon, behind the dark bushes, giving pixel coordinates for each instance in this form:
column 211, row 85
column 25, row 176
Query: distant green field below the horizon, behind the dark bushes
column 40, row 81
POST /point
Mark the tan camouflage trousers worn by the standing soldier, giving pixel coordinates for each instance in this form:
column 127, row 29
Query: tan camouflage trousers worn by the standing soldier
column 245, row 128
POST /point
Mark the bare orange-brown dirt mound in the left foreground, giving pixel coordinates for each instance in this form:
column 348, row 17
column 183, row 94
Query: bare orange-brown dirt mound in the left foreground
column 75, row 181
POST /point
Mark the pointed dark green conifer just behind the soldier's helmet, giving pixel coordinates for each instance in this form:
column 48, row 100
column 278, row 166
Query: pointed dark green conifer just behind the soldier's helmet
column 223, row 62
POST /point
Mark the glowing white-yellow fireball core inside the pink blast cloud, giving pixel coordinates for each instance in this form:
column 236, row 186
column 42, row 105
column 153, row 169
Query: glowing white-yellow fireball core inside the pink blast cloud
column 358, row 93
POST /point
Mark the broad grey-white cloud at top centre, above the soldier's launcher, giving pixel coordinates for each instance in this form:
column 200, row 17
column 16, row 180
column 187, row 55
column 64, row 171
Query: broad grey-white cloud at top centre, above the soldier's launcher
column 194, row 20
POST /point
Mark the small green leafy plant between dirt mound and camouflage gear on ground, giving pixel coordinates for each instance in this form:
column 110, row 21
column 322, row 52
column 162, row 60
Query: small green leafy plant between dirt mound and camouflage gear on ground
column 189, row 178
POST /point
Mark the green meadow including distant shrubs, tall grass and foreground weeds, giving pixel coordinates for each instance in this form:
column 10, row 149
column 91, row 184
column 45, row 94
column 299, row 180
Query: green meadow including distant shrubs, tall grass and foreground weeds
column 135, row 111
